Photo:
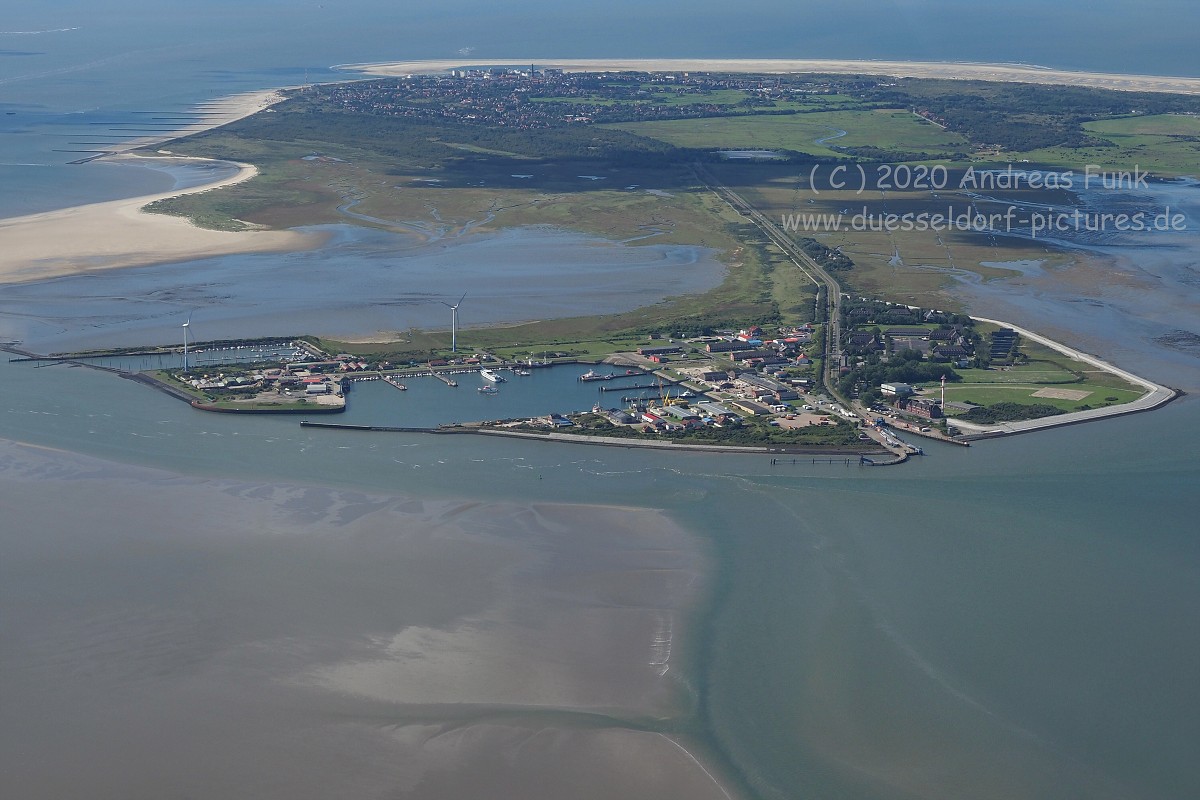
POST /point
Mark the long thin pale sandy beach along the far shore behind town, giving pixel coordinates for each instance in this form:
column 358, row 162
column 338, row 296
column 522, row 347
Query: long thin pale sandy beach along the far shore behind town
column 1004, row 73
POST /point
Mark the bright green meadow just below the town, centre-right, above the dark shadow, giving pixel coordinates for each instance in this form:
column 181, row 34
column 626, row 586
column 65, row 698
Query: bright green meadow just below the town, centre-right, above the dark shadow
column 889, row 130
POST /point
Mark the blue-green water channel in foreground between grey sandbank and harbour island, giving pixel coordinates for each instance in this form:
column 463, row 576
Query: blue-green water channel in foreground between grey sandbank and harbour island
column 1019, row 615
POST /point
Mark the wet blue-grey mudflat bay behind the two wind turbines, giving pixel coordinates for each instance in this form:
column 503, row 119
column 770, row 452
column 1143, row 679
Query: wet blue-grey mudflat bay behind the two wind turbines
column 362, row 282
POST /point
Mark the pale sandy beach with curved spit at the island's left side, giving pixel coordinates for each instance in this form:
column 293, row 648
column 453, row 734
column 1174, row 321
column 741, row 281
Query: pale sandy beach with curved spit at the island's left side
column 119, row 233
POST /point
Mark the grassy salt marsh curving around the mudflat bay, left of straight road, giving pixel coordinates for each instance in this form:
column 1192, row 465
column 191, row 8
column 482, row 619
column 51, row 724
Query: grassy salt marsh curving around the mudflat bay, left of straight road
column 393, row 191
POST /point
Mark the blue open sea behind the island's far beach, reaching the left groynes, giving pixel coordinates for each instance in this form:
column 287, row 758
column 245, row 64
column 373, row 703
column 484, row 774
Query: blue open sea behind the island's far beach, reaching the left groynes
column 74, row 73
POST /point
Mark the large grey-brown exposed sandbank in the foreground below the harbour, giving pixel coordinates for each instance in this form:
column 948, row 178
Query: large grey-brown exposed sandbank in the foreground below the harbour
column 316, row 642
